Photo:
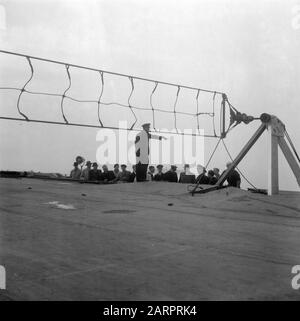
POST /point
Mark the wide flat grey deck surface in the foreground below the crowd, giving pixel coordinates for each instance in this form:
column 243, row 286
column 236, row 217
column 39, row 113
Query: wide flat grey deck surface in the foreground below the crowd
column 145, row 241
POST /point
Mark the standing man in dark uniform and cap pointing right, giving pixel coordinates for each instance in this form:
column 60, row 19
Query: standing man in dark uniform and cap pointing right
column 142, row 151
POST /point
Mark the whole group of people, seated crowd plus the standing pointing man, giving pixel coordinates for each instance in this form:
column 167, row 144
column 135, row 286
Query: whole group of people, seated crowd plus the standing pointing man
column 141, row 171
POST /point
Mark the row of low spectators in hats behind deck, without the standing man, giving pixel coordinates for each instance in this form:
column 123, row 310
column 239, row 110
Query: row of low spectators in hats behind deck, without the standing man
column 92, row 173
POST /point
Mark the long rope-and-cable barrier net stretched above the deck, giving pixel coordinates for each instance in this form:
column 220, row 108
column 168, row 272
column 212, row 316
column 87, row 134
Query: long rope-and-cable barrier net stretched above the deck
column 41, row 90
